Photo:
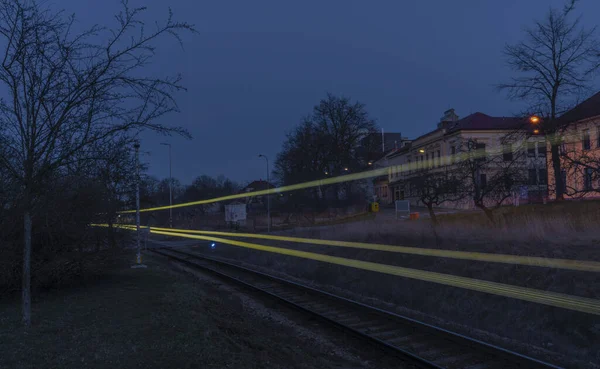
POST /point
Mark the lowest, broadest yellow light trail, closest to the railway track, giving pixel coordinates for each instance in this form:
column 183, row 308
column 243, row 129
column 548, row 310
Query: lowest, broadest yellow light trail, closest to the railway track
column 576, row 303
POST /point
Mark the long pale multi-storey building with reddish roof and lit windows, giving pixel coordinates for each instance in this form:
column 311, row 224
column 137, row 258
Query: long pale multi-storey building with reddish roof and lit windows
column 437, row 151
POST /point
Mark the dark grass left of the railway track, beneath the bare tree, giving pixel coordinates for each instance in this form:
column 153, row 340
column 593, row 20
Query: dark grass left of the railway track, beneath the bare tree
column 149, row 318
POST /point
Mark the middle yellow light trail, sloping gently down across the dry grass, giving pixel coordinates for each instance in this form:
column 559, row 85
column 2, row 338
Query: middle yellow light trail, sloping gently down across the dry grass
column 581, row 265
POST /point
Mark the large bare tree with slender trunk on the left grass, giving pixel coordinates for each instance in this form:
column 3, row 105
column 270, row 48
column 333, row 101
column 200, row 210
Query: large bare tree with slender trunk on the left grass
column 68, row 91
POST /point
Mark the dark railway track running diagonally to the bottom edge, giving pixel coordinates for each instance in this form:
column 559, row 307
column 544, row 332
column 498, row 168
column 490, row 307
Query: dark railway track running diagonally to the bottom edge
column 425, row 345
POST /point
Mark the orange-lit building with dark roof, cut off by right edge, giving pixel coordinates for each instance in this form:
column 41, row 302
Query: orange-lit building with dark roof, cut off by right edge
column 580, row 151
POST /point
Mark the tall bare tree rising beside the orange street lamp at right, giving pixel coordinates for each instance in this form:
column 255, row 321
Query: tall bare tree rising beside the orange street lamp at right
column 554, row 65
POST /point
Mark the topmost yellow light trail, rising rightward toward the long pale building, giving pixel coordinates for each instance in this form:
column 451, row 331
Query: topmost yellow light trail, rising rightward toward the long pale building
column 407, row 167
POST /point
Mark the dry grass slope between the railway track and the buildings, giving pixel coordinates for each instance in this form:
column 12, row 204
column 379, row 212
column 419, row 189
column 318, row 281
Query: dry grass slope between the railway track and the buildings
column 567, row 230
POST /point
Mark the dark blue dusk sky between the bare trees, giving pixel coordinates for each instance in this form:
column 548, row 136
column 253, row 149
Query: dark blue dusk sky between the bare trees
column 257, row 67
